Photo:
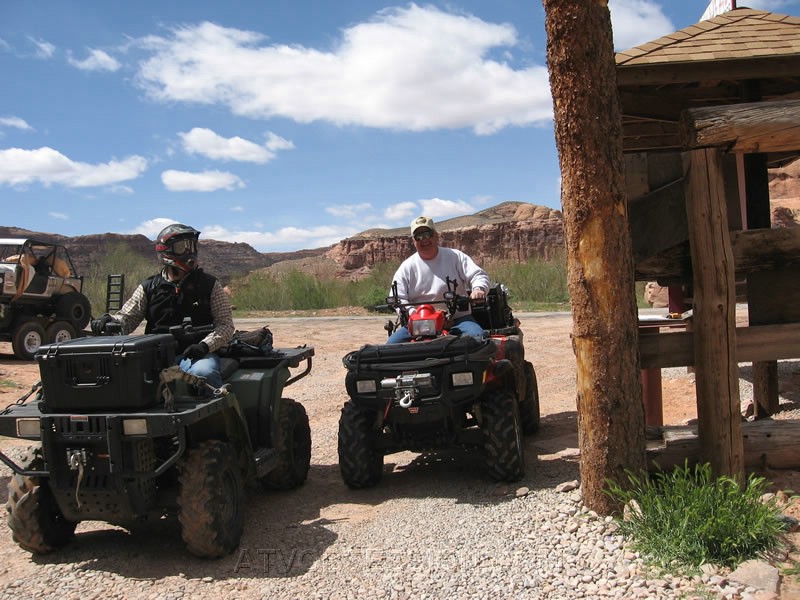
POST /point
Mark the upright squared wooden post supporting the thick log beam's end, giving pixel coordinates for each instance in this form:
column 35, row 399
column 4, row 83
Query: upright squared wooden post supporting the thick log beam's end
column 717, row 379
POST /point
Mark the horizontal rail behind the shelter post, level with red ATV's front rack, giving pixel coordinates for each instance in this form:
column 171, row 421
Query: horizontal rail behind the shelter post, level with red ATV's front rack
column 753, row 344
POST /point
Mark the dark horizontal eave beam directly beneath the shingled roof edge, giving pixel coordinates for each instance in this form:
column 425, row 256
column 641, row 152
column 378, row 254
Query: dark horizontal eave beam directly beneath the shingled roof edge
column 709, row 70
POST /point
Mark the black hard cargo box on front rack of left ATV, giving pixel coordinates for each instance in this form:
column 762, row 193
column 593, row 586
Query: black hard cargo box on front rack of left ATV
column 104, row 373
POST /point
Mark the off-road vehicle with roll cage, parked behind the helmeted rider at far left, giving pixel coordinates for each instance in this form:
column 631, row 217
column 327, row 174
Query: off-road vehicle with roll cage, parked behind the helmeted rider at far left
column 41, row 299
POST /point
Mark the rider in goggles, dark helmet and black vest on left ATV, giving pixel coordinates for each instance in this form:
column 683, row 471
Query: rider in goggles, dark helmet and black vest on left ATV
column 179, row 291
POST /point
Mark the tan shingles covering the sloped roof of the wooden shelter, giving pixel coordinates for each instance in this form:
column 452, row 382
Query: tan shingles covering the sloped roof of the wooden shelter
column 742, row 33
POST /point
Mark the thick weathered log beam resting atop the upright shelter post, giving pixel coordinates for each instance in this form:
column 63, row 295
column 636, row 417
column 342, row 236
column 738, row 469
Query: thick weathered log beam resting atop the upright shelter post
column 749, row 127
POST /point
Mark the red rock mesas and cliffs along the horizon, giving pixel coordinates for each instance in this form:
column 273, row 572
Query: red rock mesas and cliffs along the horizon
column 511, row 230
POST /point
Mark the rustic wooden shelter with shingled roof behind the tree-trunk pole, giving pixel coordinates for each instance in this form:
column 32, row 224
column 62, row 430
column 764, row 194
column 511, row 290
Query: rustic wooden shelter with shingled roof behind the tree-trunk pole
column 707, row 110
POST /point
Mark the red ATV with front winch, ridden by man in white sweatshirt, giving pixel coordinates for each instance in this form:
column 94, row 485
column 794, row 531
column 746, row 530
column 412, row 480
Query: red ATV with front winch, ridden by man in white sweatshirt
column 440, row 390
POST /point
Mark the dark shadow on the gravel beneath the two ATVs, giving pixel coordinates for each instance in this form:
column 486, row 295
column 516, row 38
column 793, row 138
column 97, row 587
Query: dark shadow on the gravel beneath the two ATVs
column 288, row 533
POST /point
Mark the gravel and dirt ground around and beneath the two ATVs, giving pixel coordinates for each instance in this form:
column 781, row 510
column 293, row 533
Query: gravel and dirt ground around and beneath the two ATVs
column 435, row 526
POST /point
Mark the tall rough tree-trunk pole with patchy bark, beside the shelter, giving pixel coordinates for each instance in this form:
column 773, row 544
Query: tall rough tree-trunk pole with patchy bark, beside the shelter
column 588, row 132
